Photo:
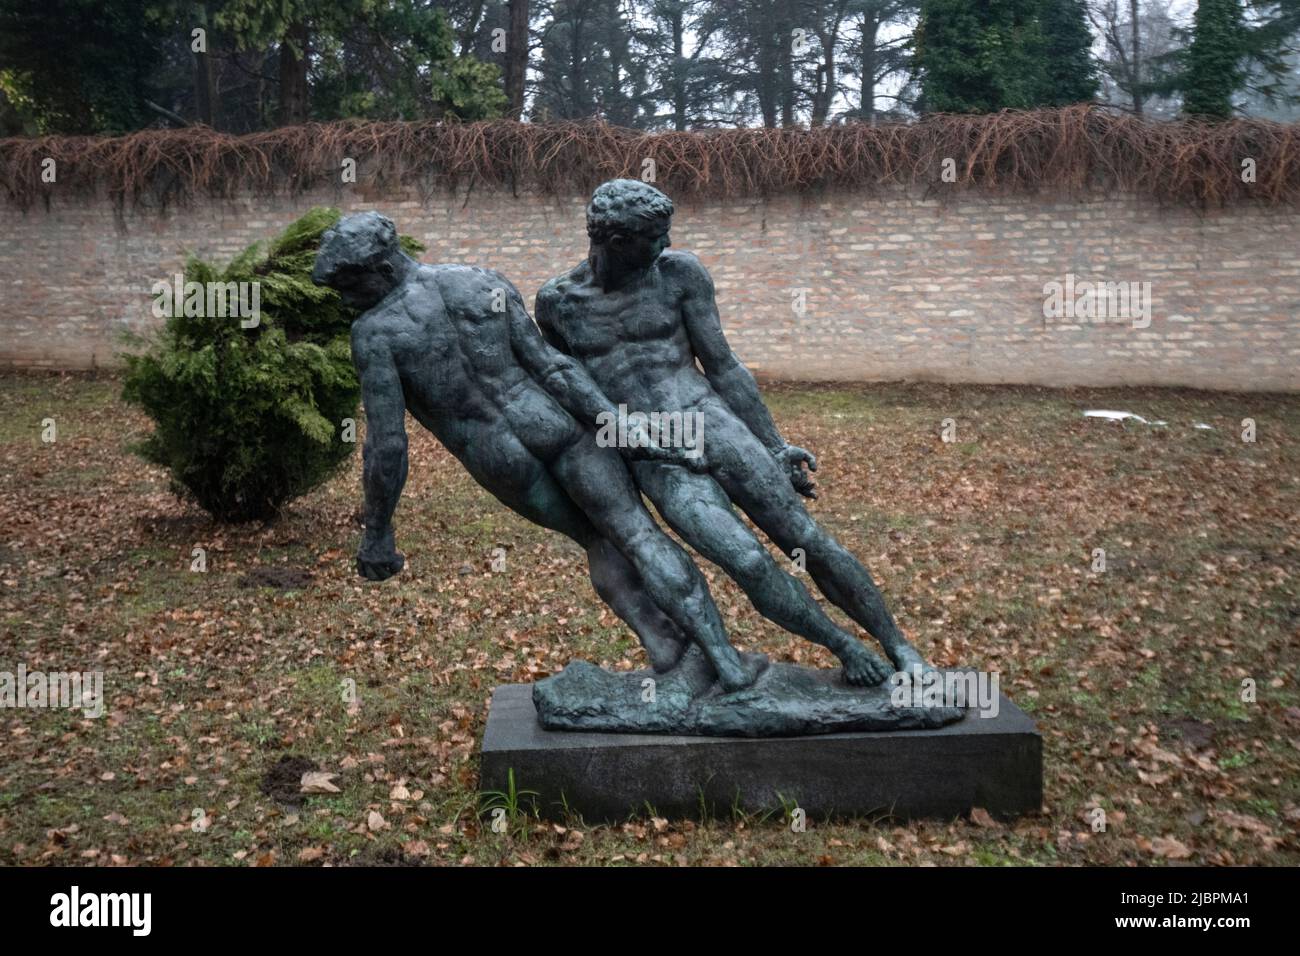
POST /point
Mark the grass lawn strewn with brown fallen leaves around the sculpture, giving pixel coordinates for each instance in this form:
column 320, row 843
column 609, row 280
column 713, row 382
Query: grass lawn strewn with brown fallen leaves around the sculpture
column 983, row 546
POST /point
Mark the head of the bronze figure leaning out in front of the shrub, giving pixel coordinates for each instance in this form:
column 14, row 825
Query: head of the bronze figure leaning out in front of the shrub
column 361, row 259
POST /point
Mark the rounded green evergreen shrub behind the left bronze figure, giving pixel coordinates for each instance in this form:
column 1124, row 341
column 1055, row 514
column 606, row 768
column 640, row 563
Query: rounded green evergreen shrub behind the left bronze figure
column 246, row 419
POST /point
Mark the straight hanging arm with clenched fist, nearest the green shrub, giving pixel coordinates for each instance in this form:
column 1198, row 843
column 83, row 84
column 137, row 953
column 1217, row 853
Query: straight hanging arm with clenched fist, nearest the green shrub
column 385, row 453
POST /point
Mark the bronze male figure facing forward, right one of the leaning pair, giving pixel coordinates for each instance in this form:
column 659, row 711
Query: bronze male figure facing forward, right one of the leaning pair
column 639, row 319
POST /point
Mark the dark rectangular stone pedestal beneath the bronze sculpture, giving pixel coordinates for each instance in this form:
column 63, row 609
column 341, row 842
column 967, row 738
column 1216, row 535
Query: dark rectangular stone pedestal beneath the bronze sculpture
column 995, row 763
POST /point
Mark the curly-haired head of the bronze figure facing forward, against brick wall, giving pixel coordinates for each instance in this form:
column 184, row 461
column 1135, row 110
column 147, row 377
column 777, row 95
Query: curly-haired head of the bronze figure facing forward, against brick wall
column 627, row 223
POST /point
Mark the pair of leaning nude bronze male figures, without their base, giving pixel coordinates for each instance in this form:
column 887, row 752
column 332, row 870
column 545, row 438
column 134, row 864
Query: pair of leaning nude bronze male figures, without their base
column 626, row 327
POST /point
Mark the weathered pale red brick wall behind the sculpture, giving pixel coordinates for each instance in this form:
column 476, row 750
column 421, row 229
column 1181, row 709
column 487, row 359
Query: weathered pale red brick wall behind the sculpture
column 896, row 287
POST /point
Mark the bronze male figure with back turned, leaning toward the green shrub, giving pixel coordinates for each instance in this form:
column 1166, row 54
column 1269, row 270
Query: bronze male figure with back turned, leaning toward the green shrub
column 456, row 347
